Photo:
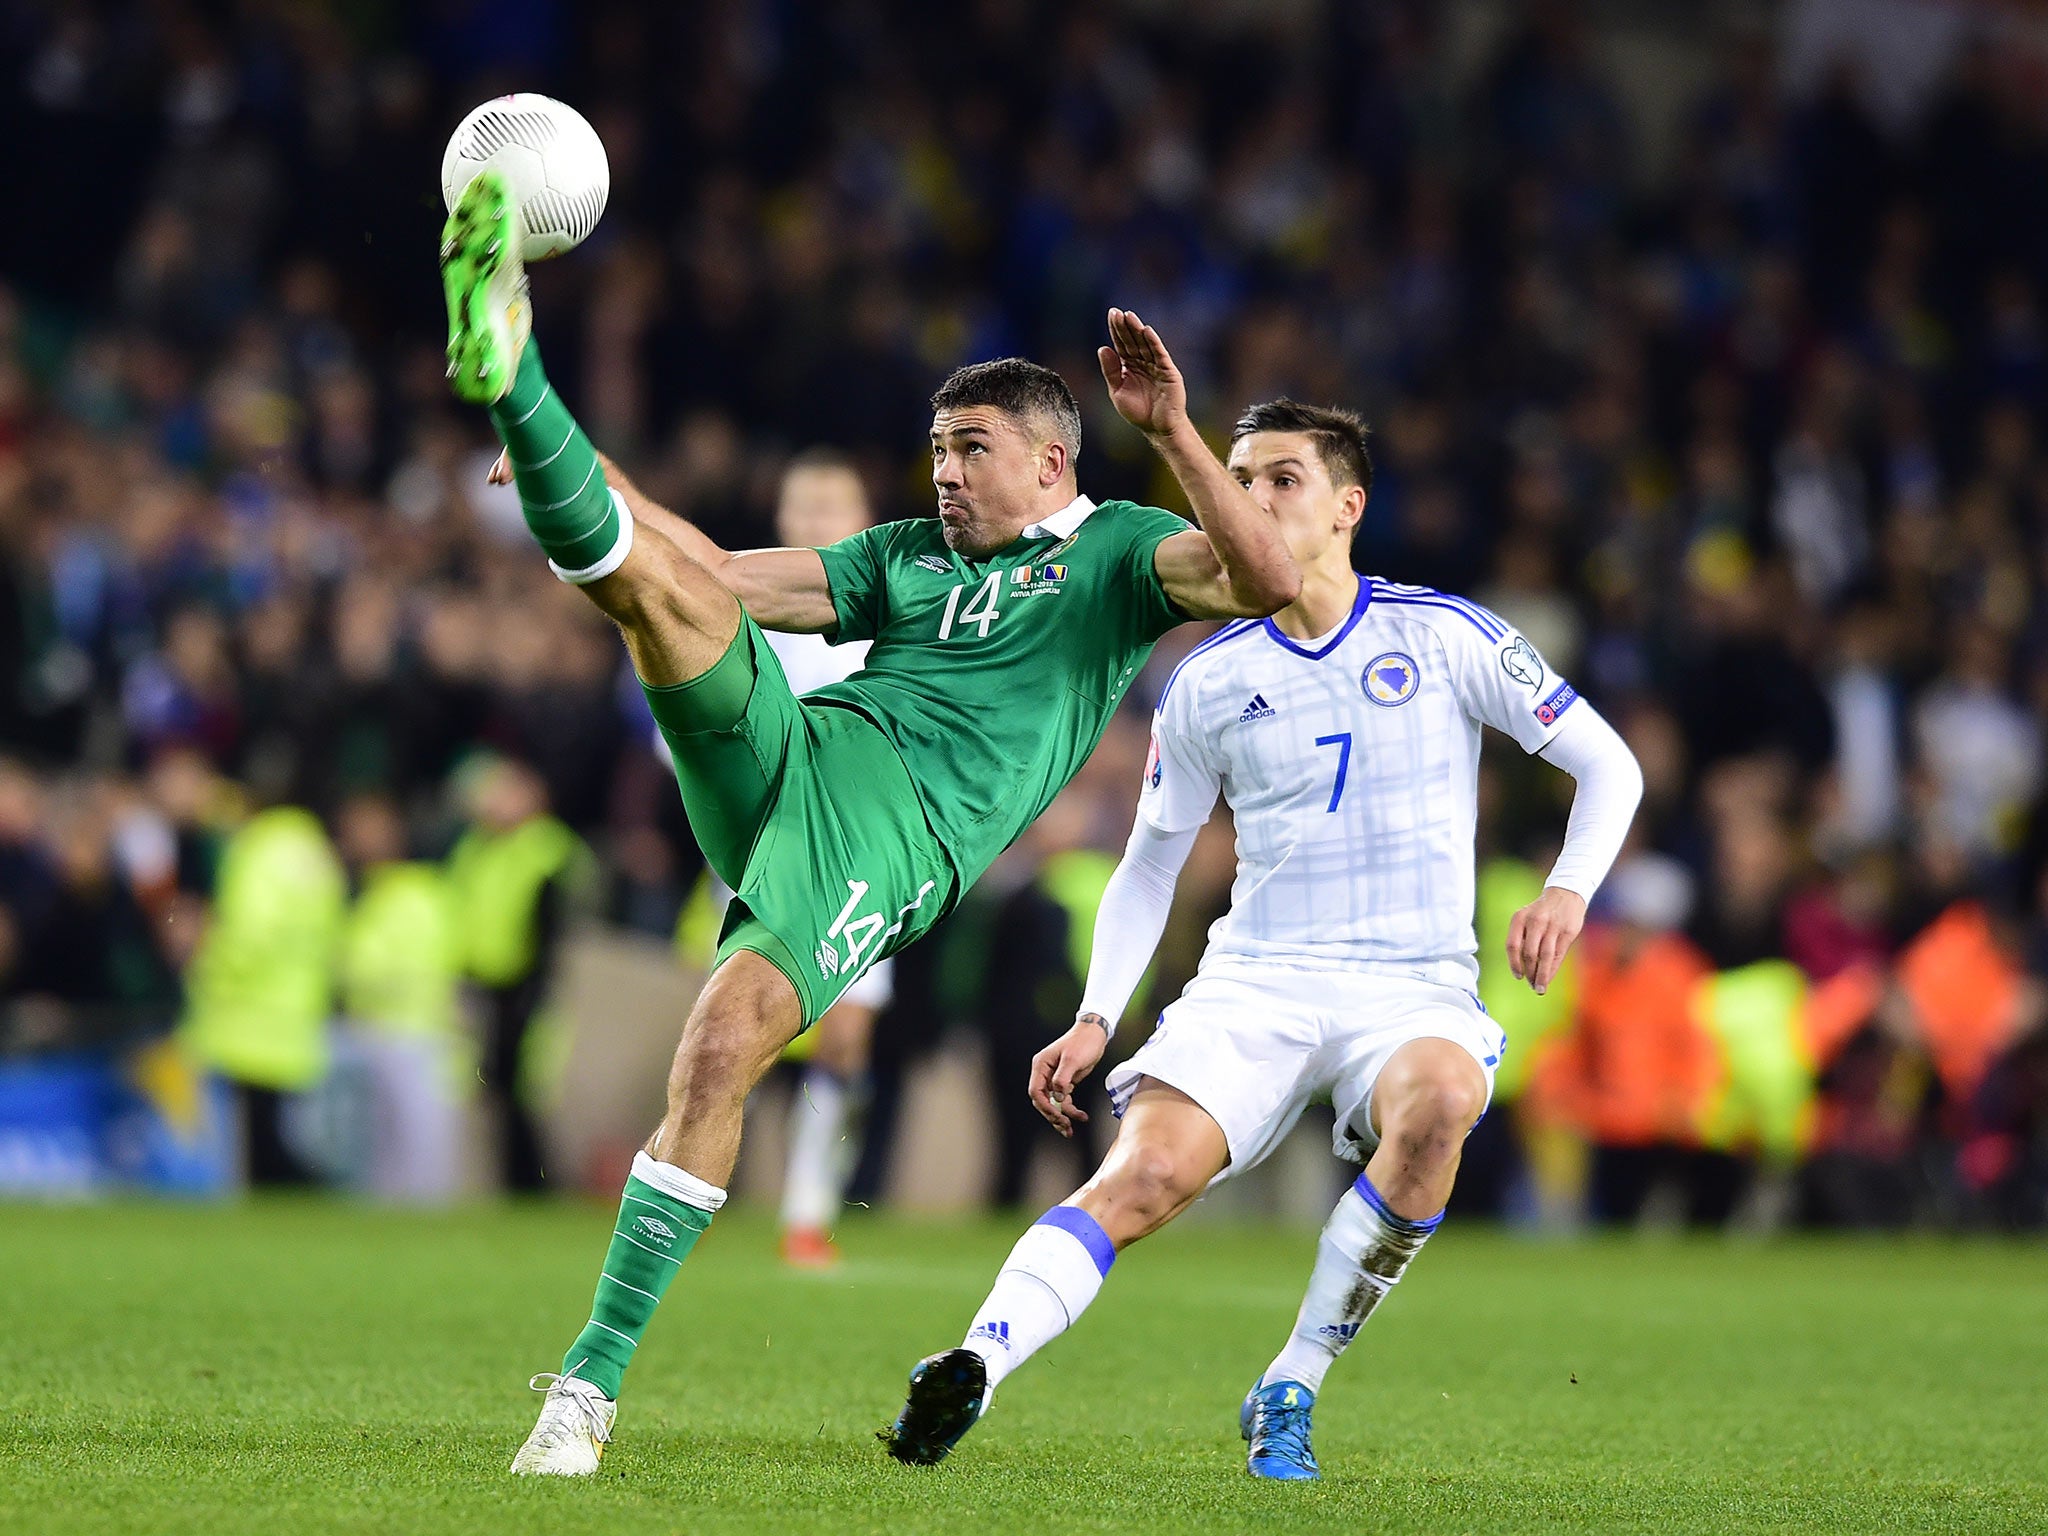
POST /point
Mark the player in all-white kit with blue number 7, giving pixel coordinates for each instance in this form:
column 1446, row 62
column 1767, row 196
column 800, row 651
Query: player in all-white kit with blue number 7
column 1345, row 738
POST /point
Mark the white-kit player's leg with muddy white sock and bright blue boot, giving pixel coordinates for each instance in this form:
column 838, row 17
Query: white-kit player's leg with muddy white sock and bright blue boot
column 1424, row 1103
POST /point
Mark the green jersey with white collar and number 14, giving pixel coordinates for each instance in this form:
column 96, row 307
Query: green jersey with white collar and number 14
column 994, row 679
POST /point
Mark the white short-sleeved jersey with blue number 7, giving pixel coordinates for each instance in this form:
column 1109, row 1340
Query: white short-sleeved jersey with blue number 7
column 1353, row 771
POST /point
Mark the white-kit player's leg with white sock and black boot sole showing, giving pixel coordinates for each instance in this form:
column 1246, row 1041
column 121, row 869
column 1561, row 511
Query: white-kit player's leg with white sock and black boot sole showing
column 1166, row 1154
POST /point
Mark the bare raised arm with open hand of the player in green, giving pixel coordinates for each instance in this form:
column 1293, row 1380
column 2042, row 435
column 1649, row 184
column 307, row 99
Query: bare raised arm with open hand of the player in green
column 1238, row 564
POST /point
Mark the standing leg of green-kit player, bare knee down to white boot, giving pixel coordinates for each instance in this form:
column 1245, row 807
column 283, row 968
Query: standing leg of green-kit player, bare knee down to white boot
column 738, row 1027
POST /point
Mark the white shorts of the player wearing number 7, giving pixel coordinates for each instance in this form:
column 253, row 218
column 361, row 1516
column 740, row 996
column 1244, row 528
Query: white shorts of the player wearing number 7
column 1258, row 1041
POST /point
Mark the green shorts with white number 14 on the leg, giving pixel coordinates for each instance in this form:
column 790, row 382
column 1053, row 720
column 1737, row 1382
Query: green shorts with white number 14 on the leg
column 810, row 816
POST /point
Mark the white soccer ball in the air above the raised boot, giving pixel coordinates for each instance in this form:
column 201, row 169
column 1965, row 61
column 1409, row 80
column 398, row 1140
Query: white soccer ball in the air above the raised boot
column 552, row 161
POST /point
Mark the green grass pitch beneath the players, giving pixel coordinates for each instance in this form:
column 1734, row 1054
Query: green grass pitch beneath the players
column 302, row 1367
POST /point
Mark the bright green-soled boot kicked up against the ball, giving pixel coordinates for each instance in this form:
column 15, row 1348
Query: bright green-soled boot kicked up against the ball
column 484, row 282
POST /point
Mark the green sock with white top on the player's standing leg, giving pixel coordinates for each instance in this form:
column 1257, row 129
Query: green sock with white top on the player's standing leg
column 652, row 1238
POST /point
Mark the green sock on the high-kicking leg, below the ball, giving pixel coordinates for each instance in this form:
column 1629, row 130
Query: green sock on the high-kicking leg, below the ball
column 560, row 482
